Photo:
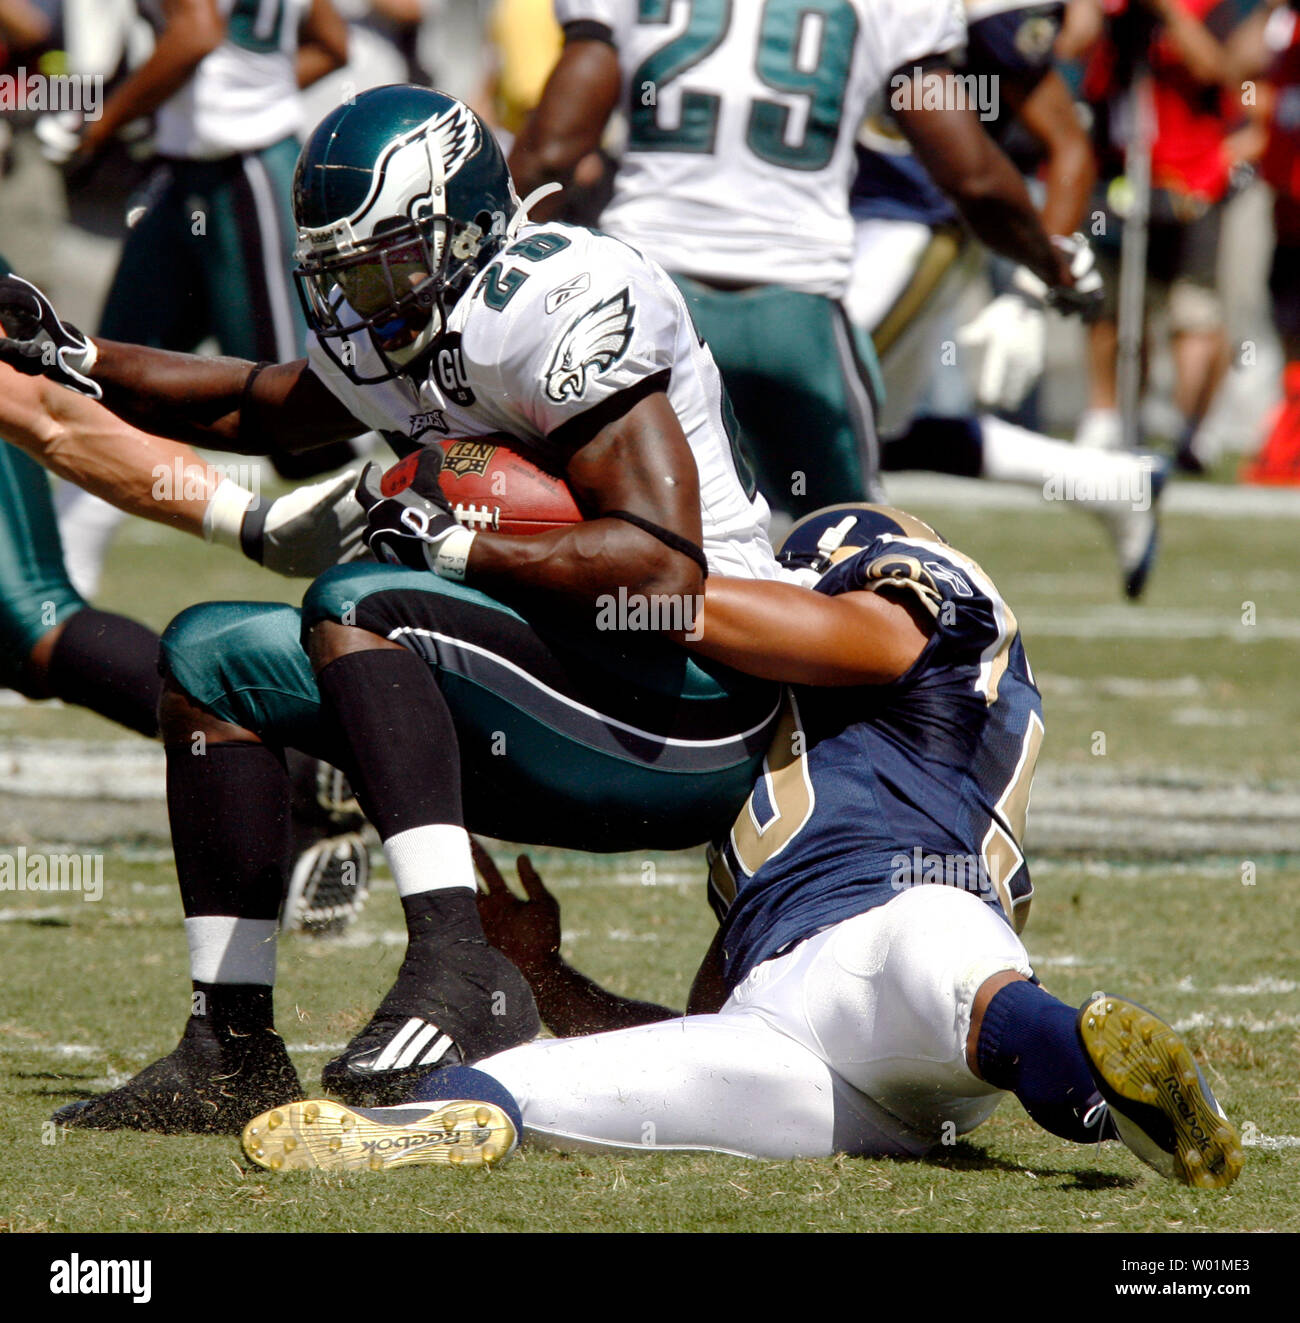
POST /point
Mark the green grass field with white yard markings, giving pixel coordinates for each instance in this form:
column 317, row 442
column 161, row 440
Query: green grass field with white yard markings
column 1164, row 841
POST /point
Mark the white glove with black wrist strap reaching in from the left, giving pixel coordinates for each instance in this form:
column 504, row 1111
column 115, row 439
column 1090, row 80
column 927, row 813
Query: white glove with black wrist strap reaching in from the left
column 307, row 531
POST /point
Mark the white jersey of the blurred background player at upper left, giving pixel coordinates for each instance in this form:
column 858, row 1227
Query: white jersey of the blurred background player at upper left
column 244, row 96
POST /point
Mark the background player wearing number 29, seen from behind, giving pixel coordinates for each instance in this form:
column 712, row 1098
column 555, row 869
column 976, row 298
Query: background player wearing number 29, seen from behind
column 736, row 177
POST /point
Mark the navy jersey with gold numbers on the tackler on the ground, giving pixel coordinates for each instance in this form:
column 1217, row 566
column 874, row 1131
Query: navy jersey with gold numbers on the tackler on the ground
column 870, row 790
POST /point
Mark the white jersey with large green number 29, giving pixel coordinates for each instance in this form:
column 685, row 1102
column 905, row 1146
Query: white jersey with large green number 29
column 741, row 126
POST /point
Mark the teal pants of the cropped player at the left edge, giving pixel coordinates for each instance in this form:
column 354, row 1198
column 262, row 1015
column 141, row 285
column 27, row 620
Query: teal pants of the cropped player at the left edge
column 35, row 591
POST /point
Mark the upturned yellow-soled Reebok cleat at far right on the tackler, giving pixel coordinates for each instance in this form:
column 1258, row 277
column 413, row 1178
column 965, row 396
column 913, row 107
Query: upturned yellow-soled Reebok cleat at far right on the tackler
column 1162, row 1107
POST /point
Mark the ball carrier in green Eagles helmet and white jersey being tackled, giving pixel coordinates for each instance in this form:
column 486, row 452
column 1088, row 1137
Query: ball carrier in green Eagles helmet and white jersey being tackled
column 436, row 309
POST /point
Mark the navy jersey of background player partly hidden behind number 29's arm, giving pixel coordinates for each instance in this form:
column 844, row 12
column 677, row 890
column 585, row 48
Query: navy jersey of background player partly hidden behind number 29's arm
column 1010, row 52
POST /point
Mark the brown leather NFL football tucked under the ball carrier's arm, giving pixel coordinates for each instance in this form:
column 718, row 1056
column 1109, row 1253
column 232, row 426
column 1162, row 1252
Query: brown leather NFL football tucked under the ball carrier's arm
column 495, row 489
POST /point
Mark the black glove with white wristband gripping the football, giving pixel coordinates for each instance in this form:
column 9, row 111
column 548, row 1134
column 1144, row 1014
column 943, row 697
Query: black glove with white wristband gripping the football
column 409, row 521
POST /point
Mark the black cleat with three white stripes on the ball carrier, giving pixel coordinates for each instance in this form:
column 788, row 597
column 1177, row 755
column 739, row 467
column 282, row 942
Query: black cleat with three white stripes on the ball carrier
column 474, row 1005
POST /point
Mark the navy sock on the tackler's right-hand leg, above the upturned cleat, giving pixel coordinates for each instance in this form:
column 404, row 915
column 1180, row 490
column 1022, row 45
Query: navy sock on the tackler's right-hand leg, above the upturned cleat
column 1030, row 1046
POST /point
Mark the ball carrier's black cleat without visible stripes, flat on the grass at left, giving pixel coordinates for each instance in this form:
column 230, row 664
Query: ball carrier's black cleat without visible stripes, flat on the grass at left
column 211, row 1086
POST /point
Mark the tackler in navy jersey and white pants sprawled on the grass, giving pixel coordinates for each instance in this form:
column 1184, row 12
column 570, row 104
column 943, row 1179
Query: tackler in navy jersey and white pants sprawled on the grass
column 867, row 992
